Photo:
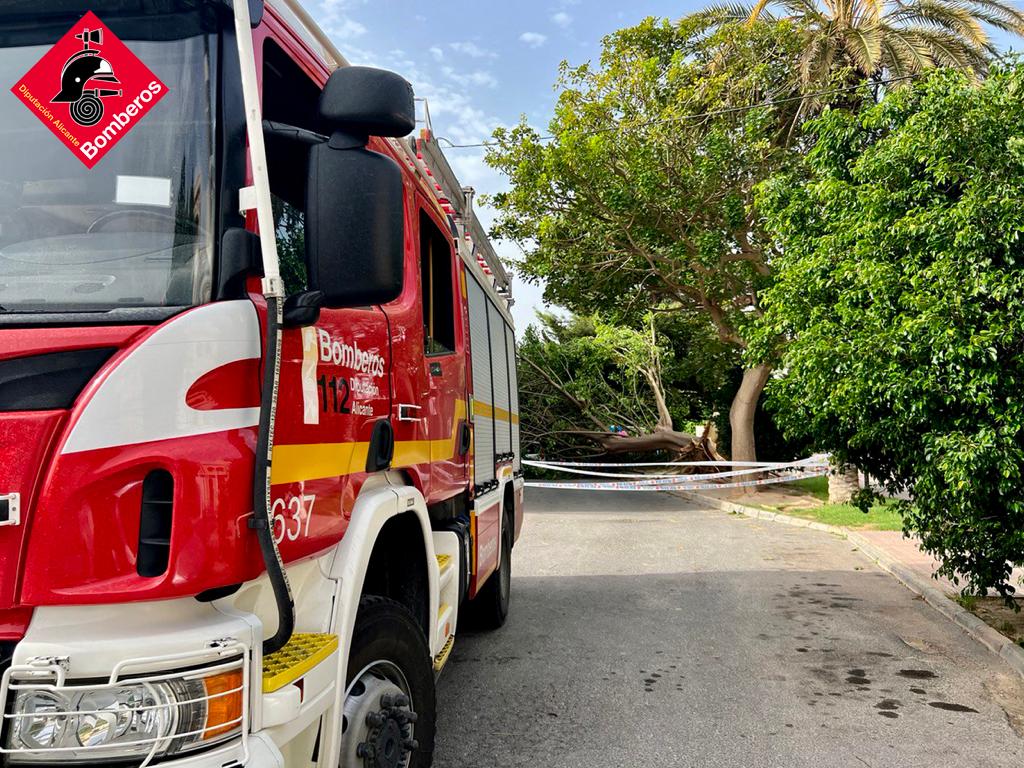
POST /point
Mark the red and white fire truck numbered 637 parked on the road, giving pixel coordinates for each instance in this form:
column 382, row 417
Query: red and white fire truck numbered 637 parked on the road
column 260, row 442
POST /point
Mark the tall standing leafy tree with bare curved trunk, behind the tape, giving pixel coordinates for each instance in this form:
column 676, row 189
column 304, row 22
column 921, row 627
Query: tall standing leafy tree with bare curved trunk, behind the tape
column 645, row 197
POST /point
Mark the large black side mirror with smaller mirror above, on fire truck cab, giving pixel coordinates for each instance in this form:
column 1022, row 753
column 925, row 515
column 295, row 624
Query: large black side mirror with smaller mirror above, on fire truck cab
column 355, row 197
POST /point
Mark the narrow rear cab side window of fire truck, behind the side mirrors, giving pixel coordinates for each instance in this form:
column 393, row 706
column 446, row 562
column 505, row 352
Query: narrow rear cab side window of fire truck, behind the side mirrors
column 437, row 276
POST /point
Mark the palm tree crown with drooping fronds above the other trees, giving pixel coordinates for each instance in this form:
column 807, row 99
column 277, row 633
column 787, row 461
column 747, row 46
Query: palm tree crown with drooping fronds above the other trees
column 883, row 39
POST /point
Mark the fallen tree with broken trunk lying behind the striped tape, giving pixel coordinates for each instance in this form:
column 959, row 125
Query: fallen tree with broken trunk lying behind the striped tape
column 591, row 389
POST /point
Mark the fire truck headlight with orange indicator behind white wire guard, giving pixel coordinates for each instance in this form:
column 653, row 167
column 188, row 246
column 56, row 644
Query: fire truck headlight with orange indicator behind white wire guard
column 97, row 724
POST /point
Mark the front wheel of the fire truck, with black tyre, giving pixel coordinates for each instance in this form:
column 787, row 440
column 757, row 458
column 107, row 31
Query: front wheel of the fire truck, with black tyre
column 389, row 719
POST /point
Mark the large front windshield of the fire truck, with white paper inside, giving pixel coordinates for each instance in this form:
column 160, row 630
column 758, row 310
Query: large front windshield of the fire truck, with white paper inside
column 138, row 230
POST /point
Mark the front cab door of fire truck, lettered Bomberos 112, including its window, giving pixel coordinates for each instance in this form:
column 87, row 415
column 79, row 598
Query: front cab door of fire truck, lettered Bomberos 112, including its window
column 334, row 385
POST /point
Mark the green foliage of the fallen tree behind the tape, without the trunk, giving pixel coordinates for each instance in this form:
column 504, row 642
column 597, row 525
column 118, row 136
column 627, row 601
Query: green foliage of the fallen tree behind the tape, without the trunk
column 583, row 374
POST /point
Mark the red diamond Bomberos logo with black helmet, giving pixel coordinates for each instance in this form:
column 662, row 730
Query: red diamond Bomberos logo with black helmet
column 90, row 90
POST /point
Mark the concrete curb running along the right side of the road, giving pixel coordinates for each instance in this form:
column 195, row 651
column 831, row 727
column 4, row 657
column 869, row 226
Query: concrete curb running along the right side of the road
column 1008, row 651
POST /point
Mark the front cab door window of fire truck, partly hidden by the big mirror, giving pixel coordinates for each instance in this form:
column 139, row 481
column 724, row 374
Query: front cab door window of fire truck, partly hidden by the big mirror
column 289, row 97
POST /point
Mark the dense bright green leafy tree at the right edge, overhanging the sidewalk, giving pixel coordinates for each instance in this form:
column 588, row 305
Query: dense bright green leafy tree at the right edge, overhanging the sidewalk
column 902, row 294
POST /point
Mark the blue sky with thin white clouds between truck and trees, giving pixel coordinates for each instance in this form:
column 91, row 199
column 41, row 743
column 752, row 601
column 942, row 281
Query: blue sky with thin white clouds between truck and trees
column 482, row 65
